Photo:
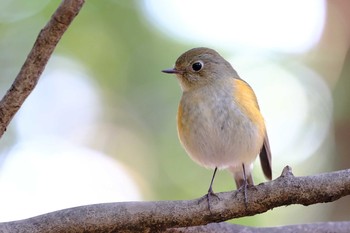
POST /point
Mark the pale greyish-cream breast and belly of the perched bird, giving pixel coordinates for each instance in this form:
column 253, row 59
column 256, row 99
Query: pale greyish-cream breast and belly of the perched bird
column 215, row 131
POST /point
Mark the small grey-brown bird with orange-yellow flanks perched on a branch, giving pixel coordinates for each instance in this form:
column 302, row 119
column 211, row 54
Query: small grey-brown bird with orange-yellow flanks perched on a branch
column 219, row 122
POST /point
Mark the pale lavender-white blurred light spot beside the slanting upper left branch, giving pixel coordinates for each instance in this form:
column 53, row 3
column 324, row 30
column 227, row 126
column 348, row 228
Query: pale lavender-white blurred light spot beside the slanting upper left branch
column 65, row 94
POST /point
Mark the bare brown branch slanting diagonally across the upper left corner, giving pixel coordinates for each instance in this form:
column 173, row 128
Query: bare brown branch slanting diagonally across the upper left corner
column 36, row 60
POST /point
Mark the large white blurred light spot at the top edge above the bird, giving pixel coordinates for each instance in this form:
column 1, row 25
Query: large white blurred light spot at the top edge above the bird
column 287, row 26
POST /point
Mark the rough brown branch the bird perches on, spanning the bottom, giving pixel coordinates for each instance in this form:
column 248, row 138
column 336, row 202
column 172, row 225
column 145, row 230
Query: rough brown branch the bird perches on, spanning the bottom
column 164, row 216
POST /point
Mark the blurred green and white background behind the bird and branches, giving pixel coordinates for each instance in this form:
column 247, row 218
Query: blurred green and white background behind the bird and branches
column 101, row 124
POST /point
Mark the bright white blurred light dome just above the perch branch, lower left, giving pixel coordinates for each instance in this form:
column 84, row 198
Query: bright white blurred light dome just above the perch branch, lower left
column 45, row 175
